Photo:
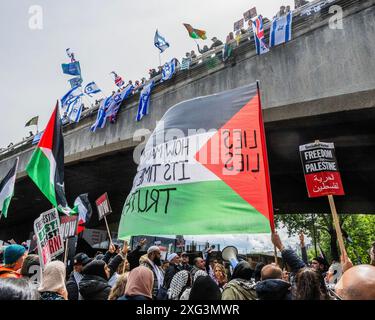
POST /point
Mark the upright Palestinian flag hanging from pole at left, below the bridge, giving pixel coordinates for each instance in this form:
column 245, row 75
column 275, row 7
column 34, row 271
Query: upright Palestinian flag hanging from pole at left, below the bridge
column 46, row 166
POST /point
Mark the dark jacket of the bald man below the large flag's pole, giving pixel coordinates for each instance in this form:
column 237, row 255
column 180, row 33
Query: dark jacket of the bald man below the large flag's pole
column 273, row 289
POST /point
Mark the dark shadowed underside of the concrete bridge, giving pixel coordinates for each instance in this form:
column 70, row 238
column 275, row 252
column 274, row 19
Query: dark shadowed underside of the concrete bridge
column 351, row 131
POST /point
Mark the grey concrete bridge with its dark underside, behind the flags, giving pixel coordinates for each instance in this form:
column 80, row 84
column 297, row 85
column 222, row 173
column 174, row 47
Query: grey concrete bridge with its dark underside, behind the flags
column 321, row 85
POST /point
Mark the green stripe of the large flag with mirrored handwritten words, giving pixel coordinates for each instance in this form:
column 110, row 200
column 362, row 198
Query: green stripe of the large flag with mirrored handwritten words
column 180, row 209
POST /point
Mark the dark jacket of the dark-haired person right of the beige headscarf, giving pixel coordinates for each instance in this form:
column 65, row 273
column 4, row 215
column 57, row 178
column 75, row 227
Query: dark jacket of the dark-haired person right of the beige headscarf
column 94, row 288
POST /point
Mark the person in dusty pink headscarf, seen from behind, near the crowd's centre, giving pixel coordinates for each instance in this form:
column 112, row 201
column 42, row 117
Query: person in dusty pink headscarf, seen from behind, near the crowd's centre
column 139, row 285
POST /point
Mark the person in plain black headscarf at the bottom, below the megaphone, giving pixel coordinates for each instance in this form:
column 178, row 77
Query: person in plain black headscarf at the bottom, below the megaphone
column 204, row 288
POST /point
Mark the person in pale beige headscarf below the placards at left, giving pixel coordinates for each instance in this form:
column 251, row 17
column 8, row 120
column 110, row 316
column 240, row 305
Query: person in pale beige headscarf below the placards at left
column 53, row 282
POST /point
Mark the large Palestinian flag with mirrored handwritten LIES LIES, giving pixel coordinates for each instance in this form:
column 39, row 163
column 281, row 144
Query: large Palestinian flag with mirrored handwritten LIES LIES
column 204, row 170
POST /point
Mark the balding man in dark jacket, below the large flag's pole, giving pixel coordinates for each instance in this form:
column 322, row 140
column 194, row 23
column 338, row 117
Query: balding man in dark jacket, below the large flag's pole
column 271, row 286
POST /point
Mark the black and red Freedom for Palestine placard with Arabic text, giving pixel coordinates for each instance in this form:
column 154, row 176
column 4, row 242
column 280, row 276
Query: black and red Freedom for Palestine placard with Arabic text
column 322, row 175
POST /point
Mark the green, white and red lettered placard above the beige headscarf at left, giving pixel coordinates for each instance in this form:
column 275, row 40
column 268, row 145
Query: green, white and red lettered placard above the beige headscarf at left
column 49, row 239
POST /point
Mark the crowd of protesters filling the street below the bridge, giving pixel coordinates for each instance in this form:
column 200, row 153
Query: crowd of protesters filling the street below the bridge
column 120, row 274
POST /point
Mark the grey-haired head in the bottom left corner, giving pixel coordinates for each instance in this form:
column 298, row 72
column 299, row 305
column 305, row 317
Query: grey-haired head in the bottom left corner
column 17, row 289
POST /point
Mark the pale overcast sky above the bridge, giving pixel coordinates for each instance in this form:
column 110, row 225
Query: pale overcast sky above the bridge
column 105, row 36
